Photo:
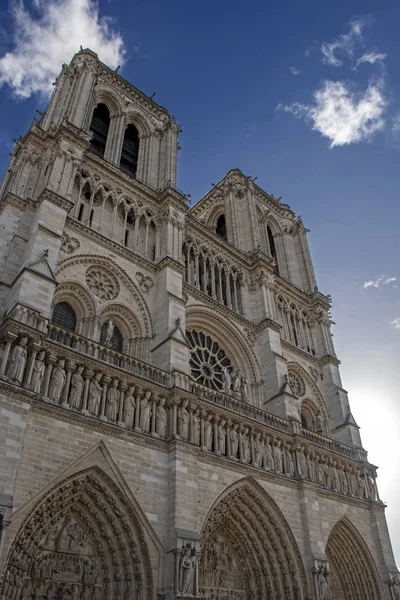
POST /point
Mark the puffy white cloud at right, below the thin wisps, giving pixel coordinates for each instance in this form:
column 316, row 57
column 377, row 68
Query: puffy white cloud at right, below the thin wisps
column 342, row 115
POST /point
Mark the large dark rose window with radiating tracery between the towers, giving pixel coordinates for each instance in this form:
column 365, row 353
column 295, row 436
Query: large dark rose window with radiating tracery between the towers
column 207, row 360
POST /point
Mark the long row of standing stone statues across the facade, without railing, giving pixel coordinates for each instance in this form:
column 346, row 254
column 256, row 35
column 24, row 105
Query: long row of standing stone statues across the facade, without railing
column 76, row 387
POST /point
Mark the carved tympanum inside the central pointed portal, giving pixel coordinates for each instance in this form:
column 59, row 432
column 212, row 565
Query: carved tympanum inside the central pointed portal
column 220, row 575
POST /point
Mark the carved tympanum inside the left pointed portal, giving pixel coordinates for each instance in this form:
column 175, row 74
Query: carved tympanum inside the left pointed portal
column 65, row 566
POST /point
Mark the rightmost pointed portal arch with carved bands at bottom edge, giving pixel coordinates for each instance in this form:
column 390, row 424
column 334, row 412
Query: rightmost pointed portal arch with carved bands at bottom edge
column 353, row 571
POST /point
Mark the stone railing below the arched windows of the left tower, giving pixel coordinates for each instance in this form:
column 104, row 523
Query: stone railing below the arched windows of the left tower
column 107, row 355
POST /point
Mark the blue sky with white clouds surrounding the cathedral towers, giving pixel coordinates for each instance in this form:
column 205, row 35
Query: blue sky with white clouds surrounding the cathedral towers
column 305, row 96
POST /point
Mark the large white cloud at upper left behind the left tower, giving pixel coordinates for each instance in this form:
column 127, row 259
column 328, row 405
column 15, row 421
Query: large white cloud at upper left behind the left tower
column 42, row 43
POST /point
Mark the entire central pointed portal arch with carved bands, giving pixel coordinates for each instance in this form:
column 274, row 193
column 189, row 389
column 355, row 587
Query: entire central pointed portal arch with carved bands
column 248, row 548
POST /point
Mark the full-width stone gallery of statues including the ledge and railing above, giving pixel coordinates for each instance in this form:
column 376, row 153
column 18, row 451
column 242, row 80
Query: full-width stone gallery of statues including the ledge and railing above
column 212, row 422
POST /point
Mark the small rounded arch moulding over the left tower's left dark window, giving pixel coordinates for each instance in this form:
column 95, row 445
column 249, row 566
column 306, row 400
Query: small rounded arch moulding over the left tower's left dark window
column 80, row 299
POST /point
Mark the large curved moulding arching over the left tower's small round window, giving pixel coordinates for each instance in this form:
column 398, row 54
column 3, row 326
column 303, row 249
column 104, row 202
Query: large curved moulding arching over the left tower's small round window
column 143, row 314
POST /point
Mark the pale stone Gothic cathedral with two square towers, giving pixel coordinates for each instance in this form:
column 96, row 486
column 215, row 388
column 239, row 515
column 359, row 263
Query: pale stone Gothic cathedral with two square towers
column 173, row 422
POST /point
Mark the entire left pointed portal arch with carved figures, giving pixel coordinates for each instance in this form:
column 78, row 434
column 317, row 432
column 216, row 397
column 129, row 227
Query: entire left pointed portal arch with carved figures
column 81, row 539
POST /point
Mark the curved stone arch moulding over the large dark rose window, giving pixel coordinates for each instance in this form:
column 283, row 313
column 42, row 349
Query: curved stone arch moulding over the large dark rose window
column 228, row 337
